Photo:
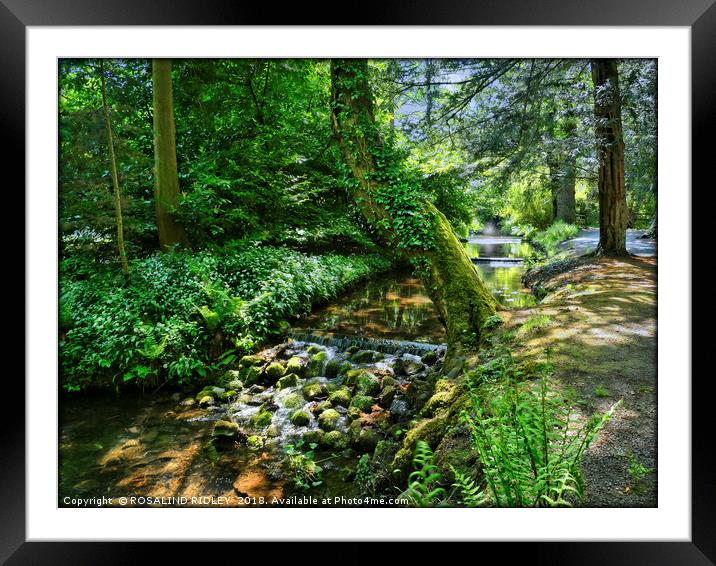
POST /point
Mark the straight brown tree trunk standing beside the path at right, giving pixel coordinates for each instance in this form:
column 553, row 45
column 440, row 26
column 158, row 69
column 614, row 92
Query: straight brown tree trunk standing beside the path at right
column 610, row 155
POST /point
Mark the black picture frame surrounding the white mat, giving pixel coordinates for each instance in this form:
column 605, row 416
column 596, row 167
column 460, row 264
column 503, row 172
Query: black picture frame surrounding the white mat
column 699, row 15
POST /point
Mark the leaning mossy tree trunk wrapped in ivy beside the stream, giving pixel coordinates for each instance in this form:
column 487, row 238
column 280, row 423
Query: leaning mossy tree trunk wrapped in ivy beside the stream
column 461, row 299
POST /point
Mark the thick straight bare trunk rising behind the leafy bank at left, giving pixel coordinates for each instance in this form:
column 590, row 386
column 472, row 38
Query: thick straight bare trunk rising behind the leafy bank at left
column 166, row 178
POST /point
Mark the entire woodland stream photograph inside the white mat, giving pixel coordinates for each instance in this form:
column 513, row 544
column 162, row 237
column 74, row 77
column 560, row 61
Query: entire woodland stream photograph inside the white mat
column 357, row 283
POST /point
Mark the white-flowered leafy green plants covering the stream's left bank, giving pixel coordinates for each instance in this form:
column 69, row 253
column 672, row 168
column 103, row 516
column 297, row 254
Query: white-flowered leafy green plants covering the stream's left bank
column 163, row 323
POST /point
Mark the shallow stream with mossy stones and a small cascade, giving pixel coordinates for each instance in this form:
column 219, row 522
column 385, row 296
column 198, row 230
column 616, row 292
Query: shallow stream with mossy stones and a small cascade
column 357, row 370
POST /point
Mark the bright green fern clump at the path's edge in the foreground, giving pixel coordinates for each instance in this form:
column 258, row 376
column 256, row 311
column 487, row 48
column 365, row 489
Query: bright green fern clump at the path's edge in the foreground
column 529, row 443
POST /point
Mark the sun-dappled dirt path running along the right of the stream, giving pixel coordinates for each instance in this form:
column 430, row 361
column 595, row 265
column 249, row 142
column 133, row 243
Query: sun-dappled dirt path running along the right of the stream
column 599, row 323
